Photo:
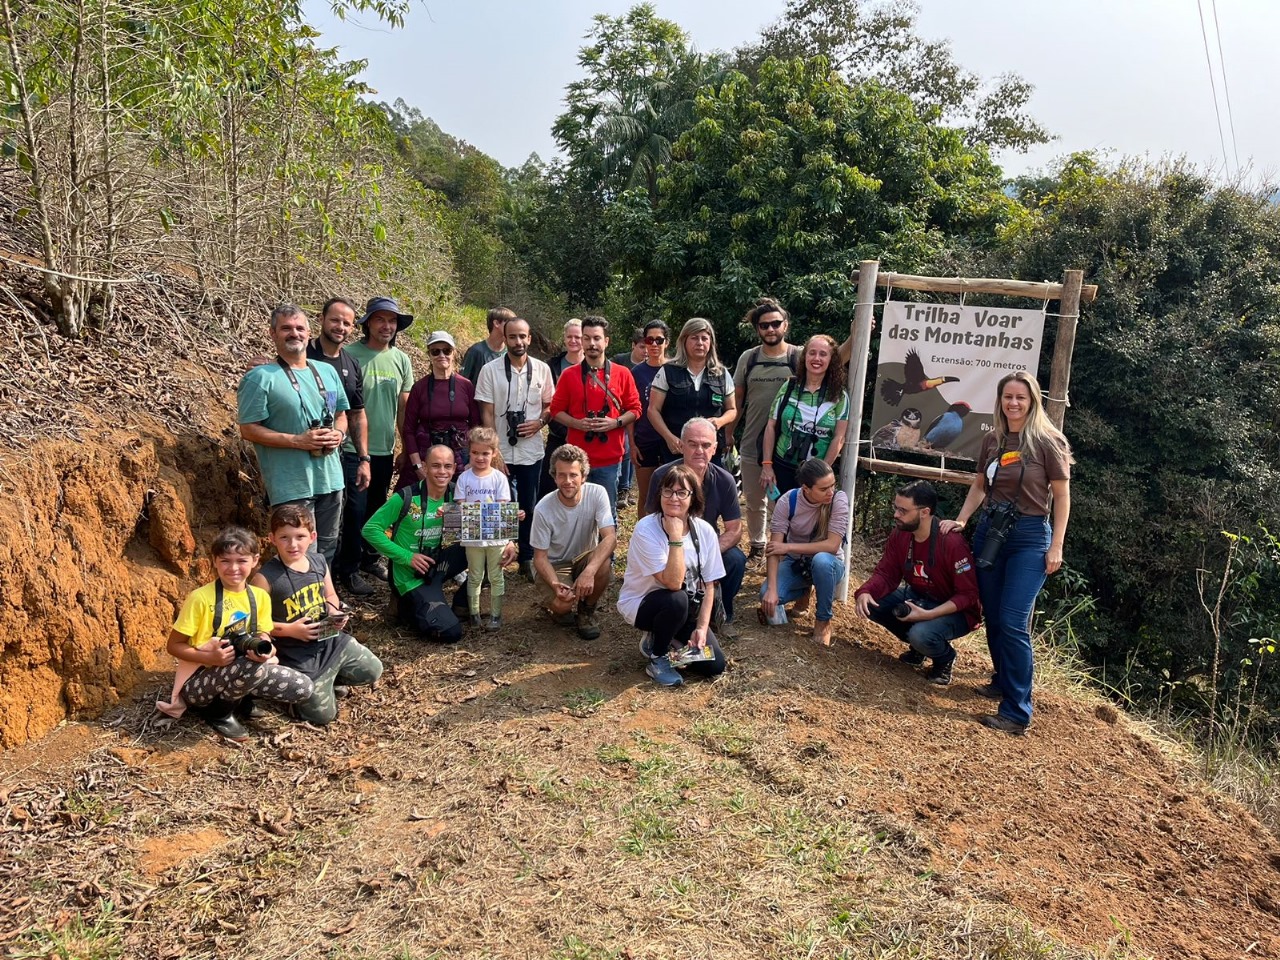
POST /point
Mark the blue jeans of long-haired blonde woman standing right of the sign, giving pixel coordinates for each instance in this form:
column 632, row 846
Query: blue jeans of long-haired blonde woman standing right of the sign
column 1009, row 592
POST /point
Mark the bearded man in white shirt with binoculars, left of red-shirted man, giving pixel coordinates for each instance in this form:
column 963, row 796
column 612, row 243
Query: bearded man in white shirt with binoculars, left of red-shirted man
column 515, row 396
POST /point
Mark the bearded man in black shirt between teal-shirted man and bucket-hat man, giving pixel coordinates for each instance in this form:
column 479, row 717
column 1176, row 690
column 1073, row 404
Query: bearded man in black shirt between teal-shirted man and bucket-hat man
column 337, row 322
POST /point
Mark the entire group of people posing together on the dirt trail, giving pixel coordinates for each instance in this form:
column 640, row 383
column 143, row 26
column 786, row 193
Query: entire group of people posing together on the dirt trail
column 326, row 418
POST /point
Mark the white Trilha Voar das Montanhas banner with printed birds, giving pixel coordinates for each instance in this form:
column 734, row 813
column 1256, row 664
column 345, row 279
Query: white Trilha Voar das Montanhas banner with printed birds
column 939, row 371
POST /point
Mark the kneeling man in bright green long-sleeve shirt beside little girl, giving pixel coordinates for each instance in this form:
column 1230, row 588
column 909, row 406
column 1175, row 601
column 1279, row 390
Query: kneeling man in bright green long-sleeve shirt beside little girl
column 420, row 569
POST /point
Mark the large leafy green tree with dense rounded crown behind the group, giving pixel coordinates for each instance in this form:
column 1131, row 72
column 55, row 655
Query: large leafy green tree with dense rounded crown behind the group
column 785, row 184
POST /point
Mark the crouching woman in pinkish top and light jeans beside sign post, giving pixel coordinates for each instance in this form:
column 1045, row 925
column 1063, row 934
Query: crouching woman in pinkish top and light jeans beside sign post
column 803, row 552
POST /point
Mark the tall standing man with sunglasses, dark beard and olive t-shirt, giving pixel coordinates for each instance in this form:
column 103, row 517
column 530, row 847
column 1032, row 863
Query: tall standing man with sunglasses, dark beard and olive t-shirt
column 761, row 372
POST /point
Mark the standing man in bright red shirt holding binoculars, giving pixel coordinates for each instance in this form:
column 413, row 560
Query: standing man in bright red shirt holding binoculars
column 596, row 401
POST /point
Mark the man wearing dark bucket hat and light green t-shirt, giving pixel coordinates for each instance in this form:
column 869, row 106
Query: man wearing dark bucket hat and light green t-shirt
column 388, row 377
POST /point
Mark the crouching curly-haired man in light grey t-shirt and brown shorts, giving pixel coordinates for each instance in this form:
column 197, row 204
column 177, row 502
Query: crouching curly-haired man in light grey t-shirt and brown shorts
column 574, row 538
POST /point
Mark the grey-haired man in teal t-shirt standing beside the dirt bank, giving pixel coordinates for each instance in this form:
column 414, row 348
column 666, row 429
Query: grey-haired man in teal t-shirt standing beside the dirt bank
column 295, row 414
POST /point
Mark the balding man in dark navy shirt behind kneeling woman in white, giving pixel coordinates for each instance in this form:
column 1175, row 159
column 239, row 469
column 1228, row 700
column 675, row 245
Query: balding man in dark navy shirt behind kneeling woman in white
column 720, row 496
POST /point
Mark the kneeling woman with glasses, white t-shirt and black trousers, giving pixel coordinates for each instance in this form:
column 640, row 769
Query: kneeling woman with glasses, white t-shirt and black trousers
column 669, row 589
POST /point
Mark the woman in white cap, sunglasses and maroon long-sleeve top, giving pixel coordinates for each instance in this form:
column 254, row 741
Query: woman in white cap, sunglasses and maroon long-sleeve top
column 442, row 408
